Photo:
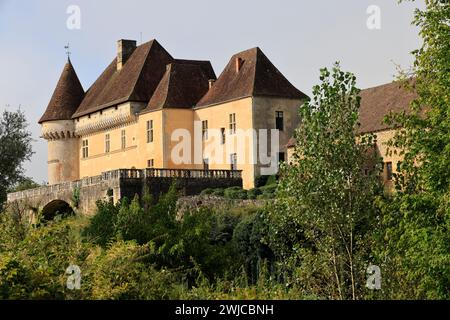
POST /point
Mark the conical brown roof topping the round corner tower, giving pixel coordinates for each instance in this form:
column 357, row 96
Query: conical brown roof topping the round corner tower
column 66, row 98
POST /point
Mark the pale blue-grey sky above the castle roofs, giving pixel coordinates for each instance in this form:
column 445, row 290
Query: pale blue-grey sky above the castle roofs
column 298, row 36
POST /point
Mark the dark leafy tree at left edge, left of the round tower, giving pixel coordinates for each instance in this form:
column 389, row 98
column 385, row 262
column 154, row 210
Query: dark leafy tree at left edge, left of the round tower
column 15, row 148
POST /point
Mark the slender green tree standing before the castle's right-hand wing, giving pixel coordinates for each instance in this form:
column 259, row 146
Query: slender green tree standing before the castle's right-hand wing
column 324, row 205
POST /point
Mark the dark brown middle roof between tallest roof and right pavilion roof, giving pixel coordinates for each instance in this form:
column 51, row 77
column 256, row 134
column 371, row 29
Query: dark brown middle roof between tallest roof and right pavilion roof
column 182, row 86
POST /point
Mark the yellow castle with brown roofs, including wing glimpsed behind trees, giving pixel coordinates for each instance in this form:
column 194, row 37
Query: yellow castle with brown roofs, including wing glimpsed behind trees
column 146, row 102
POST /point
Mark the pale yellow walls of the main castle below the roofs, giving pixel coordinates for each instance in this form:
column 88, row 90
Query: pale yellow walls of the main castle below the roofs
column 119, row 137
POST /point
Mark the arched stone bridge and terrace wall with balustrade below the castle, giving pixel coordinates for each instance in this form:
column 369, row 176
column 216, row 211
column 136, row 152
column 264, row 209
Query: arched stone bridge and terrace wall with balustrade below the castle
column 81, row 195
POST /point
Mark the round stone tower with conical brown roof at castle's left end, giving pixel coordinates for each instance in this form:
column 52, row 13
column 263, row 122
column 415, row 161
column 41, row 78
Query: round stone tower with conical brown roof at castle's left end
column 58, row 128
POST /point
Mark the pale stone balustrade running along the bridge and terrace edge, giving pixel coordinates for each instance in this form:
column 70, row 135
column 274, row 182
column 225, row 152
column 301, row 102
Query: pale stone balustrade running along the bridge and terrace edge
column 128, row 174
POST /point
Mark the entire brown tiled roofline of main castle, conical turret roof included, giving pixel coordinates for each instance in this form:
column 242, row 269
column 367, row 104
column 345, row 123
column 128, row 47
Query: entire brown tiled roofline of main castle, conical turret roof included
column 151, row 75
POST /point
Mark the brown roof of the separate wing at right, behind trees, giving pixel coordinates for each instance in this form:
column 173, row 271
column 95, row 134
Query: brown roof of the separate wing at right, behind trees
column 378, row 101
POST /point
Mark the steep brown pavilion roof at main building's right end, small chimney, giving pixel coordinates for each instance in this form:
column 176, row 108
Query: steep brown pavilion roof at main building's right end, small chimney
column 257, row 76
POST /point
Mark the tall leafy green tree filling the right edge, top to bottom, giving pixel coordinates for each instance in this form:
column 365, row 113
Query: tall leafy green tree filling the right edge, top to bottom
column 414, row 246
